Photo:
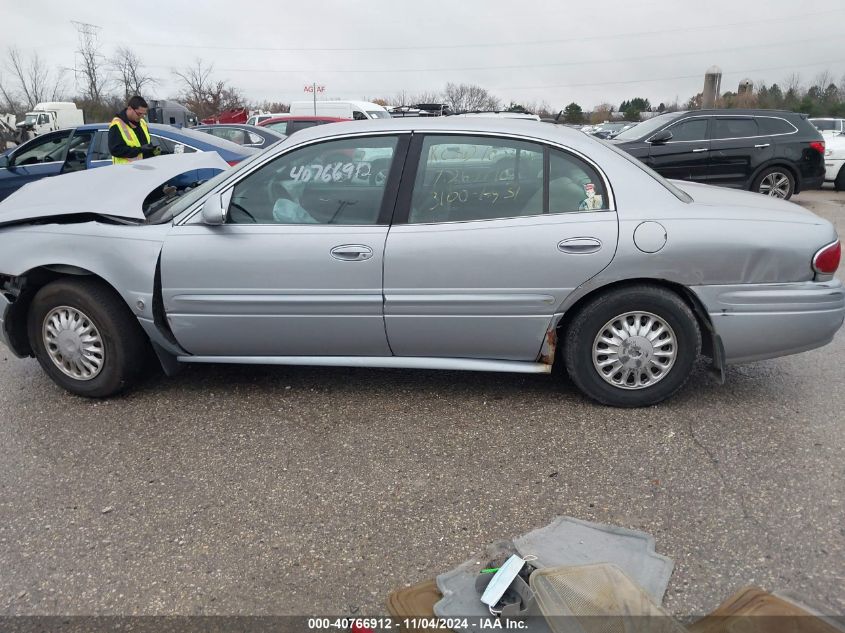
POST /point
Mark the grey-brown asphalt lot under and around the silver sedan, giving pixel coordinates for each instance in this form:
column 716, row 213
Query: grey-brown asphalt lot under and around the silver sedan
column 268, row 490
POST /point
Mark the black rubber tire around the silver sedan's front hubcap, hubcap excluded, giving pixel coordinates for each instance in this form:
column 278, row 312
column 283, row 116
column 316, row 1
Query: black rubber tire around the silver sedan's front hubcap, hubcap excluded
column 121, row 346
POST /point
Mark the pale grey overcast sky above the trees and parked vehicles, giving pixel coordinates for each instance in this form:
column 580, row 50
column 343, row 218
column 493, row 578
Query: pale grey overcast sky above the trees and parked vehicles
column 557, row 51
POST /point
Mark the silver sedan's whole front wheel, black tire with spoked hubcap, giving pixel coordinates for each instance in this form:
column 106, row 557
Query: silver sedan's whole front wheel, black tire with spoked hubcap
column 115, row 348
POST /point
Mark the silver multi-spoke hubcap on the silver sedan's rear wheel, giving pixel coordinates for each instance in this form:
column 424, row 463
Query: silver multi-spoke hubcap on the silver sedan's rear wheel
column 634, row 350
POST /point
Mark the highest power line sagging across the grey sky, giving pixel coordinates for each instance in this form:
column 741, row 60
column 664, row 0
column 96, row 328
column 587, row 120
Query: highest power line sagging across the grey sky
column 588, row 38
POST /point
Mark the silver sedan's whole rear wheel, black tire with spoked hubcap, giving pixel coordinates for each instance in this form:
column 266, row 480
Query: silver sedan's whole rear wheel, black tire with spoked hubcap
column 661, row 375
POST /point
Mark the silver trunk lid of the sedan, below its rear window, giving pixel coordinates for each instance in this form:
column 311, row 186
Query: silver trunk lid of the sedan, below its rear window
column 753, row 205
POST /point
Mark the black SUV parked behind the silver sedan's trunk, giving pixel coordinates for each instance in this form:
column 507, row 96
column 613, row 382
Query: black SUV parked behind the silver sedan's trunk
column 774, row 152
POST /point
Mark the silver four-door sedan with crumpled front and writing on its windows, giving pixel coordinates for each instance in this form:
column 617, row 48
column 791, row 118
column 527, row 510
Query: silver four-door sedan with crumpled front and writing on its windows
column 462, row 244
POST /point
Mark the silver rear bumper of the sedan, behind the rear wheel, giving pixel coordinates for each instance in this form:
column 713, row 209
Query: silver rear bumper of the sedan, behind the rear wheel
column 759, row 321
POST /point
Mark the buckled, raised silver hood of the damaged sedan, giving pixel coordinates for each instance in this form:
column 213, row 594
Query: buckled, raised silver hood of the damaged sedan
column 115, row 190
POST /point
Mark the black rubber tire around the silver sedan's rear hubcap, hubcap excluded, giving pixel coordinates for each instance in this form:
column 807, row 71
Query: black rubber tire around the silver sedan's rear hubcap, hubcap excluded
column 586, row 325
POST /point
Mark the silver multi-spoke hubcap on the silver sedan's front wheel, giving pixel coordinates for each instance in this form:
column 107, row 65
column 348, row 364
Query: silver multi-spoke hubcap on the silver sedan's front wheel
column 73, row 343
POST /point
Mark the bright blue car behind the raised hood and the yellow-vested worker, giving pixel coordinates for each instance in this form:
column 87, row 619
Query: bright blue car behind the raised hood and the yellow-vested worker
column 86, row 147
